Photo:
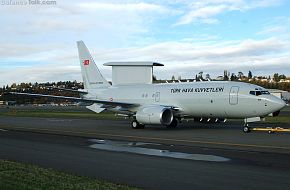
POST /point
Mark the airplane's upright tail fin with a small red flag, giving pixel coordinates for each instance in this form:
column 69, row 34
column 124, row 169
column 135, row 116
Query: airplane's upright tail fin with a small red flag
column 92, row 77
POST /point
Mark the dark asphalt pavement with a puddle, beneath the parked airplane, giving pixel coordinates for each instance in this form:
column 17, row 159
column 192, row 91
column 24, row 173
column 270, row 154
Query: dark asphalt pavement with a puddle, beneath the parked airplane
column 248, row 161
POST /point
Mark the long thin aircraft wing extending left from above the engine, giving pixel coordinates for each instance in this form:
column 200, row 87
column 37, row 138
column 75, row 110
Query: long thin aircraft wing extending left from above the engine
column 108, row 103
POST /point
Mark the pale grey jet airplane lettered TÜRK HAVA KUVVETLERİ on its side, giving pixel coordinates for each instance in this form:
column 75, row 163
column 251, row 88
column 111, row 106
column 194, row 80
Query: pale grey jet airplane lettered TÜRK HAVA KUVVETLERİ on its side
column 168, row 104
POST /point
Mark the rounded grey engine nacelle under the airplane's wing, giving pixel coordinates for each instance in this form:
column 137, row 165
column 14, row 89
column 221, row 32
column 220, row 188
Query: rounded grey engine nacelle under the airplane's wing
column 154, row 115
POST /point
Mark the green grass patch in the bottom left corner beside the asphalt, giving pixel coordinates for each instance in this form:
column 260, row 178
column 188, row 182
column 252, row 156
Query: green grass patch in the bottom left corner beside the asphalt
column 18, row 176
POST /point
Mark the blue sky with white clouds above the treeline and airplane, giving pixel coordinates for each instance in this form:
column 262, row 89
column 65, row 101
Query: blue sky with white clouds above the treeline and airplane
column 38, row 41
